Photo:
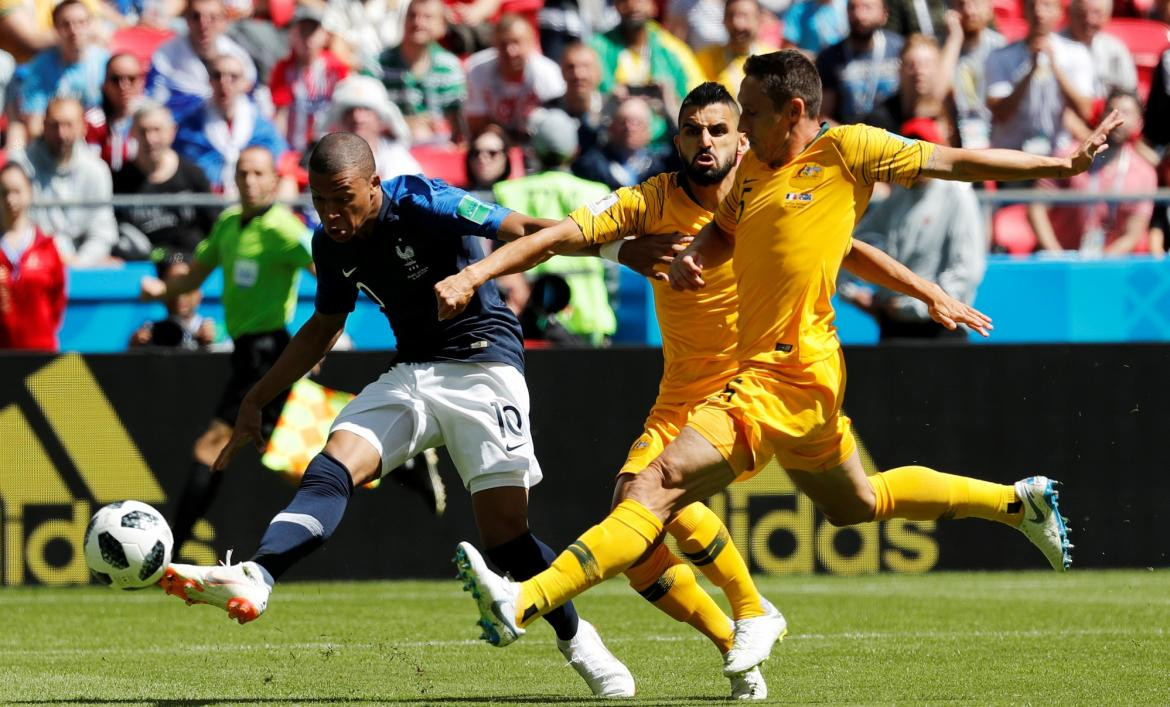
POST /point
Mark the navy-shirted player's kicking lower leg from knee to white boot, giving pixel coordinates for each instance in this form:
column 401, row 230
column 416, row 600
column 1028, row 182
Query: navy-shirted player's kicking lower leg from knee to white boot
column 244, row 589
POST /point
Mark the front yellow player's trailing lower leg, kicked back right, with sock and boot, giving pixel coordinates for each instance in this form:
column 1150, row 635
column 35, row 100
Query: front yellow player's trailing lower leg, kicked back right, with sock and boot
column 846, row 496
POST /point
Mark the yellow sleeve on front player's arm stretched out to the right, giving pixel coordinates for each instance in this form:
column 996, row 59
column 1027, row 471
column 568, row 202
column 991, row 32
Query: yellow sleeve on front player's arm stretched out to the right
column 873, row 155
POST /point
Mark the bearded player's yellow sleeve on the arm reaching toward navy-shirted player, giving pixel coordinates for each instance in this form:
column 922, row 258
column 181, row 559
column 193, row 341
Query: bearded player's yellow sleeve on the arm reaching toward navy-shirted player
column 629, row 211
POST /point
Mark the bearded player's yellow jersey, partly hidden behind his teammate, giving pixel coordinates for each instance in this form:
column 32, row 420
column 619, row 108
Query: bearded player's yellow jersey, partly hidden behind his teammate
column 699, row 338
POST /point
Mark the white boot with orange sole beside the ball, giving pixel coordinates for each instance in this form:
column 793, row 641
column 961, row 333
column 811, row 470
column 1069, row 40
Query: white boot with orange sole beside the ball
column 242, row 589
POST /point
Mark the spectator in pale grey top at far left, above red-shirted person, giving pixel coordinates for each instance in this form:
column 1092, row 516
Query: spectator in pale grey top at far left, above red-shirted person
column 63, row 168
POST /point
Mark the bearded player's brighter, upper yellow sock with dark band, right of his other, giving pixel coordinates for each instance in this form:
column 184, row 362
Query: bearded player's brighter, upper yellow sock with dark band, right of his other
column 706, row 543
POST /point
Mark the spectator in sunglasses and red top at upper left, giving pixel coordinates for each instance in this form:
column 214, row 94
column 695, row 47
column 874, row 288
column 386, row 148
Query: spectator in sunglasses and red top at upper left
column 108, row 126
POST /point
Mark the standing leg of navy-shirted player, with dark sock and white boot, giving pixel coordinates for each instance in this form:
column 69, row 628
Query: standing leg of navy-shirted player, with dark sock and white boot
column 501, row 516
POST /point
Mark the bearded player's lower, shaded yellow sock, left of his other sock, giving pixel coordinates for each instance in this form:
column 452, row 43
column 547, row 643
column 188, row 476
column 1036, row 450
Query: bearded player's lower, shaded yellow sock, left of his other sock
column 669, row 585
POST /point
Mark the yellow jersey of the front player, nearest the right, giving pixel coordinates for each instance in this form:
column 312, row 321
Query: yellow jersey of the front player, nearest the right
column 793, row 228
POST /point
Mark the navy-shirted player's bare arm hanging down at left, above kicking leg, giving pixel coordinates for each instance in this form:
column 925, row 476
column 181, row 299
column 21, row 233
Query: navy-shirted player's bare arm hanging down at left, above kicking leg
column 312, row 342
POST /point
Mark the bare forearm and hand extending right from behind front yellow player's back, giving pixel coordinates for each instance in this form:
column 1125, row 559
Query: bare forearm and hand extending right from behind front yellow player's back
column 876, row 266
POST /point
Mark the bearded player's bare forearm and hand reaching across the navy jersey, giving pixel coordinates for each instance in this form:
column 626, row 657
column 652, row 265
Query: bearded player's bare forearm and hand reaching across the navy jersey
column 456, row 292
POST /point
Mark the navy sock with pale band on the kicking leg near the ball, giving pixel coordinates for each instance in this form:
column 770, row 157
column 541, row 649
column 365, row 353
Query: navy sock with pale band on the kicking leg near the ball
column 311, row 519
